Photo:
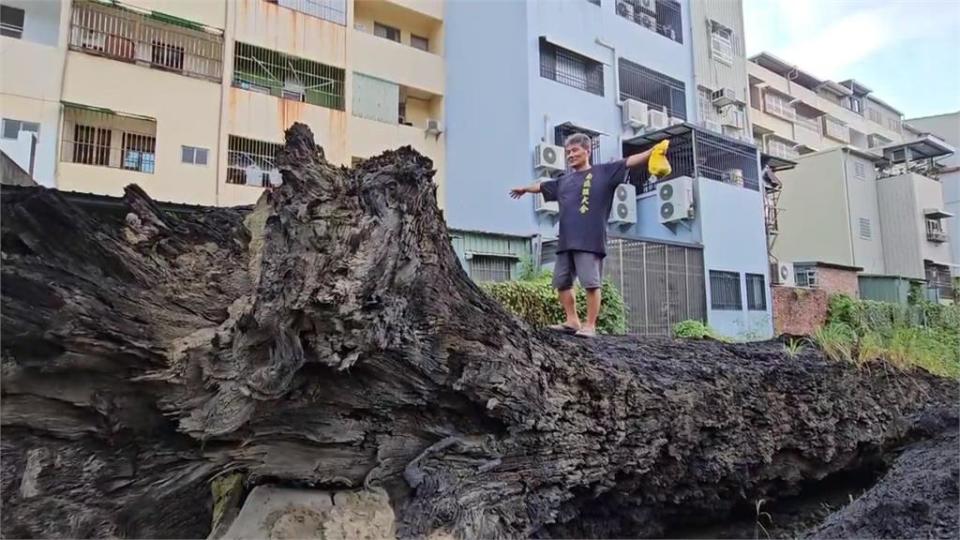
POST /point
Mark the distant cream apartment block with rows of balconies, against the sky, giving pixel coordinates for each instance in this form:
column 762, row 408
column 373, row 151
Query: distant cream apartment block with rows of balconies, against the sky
column 795, row 113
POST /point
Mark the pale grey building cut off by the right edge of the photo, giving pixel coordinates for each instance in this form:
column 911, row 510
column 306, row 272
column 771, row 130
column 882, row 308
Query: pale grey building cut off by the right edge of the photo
column 947, row 127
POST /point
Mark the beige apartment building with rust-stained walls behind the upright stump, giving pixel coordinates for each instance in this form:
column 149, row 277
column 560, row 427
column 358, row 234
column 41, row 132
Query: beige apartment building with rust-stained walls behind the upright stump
column 190, row 99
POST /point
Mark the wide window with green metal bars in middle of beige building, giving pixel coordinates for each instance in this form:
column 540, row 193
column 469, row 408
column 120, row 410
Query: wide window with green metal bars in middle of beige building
column 287, row 77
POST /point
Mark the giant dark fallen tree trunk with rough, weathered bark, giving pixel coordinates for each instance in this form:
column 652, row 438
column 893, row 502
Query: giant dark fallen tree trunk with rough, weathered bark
column 330, row 339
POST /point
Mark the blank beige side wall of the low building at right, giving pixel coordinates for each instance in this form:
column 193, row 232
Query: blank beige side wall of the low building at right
column 814, row 219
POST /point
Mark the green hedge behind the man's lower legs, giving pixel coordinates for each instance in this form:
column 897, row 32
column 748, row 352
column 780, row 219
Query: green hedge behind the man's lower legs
column 535, row 301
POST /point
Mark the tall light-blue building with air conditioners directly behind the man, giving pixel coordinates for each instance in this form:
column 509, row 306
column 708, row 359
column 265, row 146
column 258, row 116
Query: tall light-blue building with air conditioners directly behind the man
column 628, row 73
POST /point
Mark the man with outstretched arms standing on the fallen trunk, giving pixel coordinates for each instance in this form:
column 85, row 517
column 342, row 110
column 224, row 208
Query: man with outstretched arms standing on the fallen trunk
column 585, row 195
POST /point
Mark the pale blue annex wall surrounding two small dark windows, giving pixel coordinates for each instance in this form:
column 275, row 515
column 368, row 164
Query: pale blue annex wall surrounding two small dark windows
column 734, row 241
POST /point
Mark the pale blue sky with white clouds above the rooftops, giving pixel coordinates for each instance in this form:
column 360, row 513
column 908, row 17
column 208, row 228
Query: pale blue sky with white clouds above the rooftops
column 906, row 51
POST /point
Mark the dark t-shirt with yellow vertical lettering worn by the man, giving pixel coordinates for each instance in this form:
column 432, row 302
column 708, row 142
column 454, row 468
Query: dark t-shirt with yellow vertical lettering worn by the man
column 585, row 198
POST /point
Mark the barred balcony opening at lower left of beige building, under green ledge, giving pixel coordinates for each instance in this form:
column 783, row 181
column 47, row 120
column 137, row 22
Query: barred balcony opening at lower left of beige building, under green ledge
column 93, row 137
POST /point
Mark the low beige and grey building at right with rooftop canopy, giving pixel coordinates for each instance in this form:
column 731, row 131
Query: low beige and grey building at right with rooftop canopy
column 880, row 211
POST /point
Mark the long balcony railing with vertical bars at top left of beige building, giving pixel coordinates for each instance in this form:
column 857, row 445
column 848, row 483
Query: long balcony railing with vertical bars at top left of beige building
column 124, row 35
